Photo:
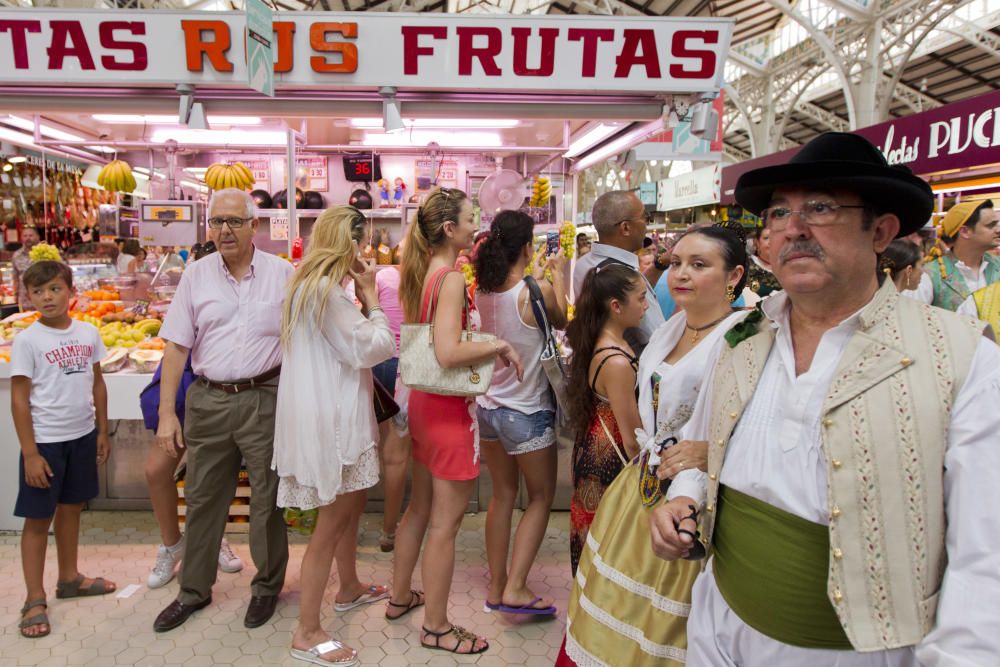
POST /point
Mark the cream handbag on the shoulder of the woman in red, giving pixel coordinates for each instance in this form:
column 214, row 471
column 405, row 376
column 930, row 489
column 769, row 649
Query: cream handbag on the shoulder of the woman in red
column 418, row 365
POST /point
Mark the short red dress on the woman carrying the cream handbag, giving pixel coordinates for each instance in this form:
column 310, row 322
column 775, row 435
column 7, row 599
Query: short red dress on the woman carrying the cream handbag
column 444, row 428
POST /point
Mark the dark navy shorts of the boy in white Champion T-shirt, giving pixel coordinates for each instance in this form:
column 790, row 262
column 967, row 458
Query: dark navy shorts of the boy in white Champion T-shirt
column 73, row 481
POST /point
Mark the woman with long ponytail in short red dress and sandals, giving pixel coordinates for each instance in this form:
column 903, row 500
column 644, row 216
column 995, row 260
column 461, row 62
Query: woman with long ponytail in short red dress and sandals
column 443, row 428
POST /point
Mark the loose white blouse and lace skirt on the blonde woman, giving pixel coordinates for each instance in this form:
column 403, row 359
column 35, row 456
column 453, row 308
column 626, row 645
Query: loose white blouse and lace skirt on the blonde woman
column 325, row 430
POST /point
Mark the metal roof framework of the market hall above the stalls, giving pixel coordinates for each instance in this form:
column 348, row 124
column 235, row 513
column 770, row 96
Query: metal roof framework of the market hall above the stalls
column 797, row 68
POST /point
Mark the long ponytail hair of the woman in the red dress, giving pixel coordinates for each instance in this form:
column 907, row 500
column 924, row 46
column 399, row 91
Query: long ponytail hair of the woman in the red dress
column 443, row 205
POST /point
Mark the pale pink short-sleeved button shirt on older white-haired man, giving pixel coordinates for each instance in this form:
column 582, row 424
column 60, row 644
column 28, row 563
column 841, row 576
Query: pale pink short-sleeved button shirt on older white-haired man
column 232, row 328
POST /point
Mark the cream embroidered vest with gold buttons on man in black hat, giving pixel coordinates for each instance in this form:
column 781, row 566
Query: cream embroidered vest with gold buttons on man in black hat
column 885, row 429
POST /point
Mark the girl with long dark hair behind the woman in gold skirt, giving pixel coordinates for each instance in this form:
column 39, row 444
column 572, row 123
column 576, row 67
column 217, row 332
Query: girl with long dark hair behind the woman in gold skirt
column 601, row 389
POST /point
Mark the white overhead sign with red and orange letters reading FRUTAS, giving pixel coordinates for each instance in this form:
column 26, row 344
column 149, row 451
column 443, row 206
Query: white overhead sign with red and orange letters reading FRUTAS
column 489, row 52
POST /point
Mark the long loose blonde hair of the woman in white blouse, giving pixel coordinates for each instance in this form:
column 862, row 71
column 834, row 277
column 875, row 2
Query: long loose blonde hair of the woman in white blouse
column 327, row 261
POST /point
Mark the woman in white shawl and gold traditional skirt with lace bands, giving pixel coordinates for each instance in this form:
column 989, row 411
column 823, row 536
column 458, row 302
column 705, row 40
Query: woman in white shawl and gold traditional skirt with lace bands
column 627, row 606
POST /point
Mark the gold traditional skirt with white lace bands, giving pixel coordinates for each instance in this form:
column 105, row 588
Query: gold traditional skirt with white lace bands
column 627, row 606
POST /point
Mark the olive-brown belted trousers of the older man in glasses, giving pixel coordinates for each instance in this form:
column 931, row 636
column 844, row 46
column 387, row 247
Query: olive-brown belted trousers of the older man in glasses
column 220, row 431
